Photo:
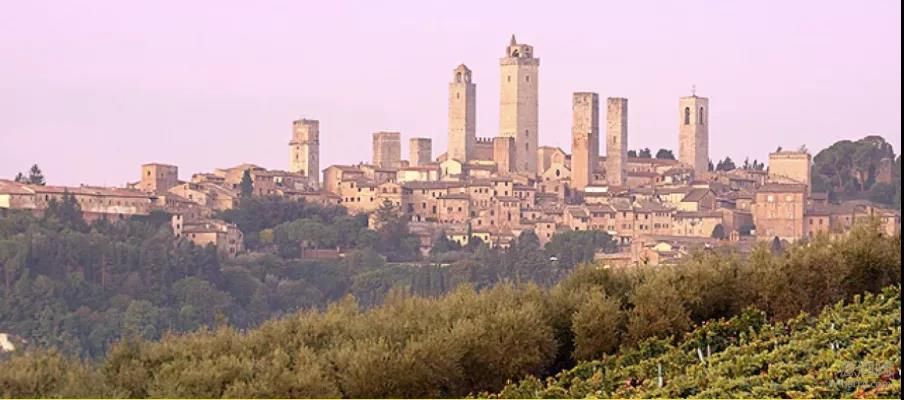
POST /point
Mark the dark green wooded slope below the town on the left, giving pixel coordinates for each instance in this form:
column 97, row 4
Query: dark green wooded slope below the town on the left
column 79, row 288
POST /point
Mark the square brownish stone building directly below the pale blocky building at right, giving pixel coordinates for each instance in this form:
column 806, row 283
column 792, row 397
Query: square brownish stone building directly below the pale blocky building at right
column 778, row 211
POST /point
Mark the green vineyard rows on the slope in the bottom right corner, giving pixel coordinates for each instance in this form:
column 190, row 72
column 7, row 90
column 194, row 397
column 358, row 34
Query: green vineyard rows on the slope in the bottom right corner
column 848, row 350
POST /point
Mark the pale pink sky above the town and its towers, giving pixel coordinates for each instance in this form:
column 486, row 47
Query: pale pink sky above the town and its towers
column 89, row 90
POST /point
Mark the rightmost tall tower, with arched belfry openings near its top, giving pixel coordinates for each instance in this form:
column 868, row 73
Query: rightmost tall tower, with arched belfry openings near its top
column 693, row 133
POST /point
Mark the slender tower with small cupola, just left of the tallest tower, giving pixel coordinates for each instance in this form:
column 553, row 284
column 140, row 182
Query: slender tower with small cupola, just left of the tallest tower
column 462, row 115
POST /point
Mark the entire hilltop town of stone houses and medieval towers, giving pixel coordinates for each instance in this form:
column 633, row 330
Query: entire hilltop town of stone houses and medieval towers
column 494, row 188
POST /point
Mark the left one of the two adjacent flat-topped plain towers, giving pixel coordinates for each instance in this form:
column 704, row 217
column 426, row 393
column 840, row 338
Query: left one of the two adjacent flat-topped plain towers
column 585, row 138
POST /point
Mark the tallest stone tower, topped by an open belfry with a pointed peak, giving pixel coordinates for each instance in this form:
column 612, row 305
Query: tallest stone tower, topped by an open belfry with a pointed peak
column 518, row 106
